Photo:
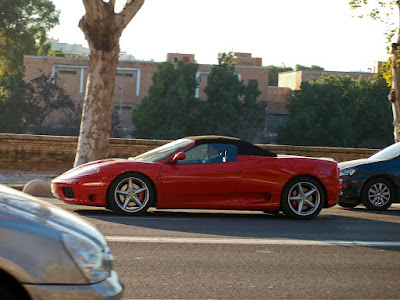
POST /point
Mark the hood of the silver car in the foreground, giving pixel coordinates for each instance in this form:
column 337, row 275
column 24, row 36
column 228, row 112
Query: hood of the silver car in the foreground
column 22, row 209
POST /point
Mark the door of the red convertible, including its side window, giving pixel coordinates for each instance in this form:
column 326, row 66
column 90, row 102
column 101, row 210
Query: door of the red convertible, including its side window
column 204, row 179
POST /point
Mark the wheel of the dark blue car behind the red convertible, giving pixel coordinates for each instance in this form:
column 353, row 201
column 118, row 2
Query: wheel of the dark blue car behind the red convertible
column 378, row 194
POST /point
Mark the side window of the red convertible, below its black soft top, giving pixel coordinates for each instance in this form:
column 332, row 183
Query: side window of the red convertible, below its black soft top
column 210, row 153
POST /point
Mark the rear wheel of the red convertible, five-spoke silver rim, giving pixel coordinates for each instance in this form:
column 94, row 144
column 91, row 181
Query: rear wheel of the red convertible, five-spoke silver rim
column 302, row 198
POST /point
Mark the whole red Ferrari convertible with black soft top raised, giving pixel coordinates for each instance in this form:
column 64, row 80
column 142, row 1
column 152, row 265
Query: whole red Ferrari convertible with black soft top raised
column 205, row 172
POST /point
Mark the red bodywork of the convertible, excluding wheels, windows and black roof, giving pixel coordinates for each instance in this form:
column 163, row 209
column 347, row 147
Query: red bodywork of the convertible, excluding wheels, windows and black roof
column 251, row 182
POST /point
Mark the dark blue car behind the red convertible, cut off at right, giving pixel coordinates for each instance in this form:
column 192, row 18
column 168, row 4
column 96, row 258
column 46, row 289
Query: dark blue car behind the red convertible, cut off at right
column 373, row 181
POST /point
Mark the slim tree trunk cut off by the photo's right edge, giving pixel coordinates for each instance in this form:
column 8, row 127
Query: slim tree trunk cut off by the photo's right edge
column 394, row 96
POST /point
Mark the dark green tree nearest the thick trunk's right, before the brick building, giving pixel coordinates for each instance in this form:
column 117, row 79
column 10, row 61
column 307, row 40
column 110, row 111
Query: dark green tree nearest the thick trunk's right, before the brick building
column 166, row 112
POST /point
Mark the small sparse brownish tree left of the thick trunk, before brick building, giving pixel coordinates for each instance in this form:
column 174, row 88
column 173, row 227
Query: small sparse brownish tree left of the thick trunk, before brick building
column 45, row 96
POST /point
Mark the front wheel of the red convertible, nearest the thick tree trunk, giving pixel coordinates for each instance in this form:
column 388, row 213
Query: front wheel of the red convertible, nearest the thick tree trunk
column 130, row 194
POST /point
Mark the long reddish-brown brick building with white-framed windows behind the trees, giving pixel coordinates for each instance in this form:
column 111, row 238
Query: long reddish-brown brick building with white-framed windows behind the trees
column 133, row 79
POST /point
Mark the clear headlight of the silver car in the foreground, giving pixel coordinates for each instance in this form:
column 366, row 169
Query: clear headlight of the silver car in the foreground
column 92, row 261
